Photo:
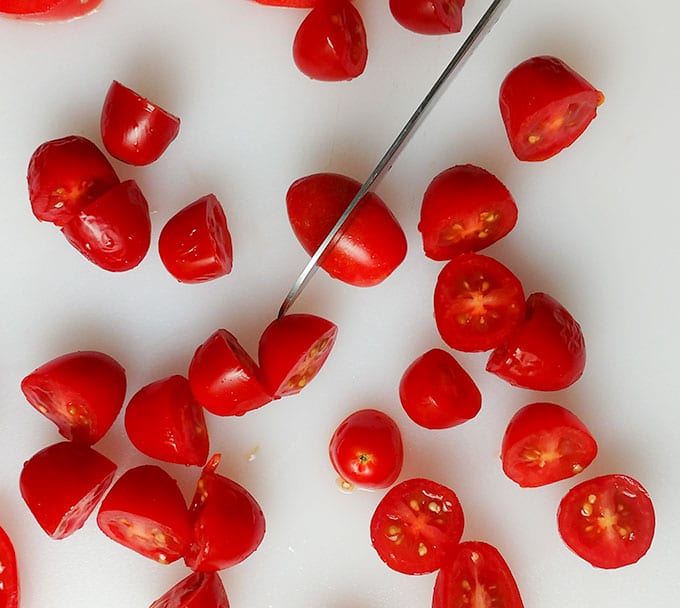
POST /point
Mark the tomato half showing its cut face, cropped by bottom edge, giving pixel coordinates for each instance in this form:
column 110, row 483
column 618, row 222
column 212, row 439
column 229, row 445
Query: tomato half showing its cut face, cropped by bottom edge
column 476, row 575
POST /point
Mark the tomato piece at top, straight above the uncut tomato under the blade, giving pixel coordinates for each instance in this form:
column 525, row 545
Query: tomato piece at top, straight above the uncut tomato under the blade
column 330, row 43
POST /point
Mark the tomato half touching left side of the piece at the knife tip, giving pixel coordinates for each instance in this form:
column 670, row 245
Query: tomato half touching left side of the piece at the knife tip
column 224, row 378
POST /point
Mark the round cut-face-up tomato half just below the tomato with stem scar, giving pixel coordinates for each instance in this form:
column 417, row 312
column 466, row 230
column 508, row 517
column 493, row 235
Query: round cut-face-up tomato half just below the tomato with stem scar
column 416, row 525
